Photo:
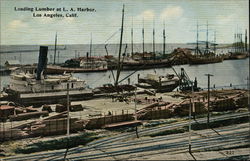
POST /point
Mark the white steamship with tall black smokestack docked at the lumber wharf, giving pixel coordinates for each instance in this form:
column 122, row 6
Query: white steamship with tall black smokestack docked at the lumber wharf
column 38, row 89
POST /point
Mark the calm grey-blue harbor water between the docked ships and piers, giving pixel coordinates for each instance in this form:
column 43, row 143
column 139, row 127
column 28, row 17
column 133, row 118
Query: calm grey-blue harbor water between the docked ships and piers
column 229, row 71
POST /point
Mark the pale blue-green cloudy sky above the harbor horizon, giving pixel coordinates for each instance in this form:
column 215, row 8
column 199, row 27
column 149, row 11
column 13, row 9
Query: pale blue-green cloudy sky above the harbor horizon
column 179, row 16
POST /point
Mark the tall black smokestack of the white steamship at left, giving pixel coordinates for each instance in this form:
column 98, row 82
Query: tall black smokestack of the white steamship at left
column 42, row 61
